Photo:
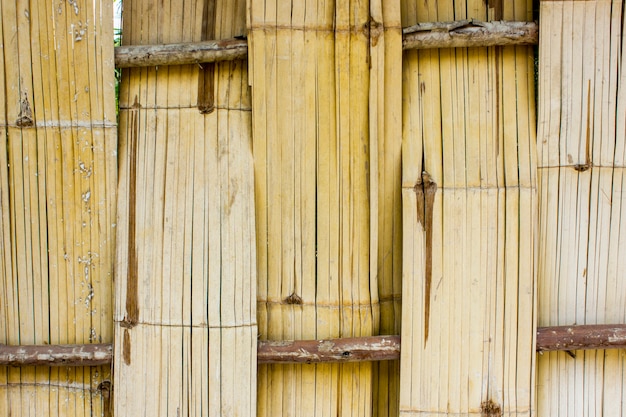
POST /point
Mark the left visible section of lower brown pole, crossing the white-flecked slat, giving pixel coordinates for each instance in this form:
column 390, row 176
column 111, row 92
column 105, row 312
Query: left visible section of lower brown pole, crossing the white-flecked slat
column 57, row 355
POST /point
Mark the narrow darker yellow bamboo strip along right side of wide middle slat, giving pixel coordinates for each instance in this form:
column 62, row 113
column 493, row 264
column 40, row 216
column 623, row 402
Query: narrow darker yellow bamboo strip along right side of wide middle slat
column 386, row 198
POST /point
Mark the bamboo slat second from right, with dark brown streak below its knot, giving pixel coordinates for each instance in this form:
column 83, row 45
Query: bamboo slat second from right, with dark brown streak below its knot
column 469, row 196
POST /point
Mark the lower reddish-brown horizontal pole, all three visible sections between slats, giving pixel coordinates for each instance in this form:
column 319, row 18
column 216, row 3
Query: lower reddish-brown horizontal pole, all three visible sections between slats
column 353, row 349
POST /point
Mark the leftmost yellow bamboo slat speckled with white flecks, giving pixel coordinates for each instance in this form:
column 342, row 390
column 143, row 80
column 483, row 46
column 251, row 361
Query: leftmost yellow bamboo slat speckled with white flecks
column 57, row 198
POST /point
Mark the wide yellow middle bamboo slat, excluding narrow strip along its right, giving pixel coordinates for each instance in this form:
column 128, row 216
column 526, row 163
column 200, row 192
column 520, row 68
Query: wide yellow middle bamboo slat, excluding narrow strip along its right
column 310, row 84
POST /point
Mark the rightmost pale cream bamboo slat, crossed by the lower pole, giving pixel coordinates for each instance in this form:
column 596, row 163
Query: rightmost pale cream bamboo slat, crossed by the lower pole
column 581, row 141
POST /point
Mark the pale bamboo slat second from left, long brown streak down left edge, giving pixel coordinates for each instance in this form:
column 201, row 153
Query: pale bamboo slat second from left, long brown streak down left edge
column 185, row 320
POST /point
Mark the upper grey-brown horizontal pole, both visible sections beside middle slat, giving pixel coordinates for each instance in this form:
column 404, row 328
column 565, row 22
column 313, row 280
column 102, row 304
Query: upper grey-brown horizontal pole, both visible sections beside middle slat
column 460, row 34
